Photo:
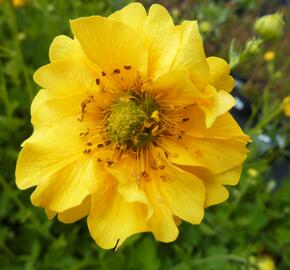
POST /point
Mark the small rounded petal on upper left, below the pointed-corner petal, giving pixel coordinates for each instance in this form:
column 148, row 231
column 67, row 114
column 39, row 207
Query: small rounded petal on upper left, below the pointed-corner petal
column 66, row 77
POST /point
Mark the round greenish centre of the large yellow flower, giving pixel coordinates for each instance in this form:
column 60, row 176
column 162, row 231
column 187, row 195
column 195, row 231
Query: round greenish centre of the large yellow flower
column 131, row 121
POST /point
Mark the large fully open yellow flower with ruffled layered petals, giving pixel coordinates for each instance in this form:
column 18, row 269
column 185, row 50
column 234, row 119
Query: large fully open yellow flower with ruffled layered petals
column 132, row 127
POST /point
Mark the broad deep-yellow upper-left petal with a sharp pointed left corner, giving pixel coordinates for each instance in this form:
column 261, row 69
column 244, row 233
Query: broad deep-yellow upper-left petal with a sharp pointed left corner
column 111, row 44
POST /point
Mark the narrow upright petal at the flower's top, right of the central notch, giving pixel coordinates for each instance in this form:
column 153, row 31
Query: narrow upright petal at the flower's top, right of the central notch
column 163, row 40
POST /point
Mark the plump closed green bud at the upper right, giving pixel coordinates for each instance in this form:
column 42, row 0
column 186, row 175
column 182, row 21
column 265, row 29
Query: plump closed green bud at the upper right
column 270, row 26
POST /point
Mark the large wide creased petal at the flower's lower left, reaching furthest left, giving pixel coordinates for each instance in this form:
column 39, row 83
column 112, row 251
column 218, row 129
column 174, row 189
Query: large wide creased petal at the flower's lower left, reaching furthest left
column 53, row 159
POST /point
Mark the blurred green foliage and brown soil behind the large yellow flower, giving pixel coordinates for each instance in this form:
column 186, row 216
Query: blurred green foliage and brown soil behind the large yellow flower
column 249, row 231
